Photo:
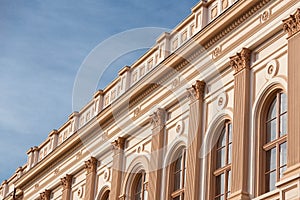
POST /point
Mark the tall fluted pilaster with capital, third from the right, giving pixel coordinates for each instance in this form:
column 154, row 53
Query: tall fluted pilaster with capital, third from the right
column 192, row 188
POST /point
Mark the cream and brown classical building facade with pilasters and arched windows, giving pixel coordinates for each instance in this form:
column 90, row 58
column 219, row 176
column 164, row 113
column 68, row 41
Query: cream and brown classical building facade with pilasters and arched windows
column 211, row 111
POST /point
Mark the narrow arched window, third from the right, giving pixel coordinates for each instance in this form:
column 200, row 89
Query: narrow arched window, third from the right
column 178, row 176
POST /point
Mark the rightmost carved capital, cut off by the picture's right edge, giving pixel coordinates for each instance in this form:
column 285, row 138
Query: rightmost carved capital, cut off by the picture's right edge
column 291, row 25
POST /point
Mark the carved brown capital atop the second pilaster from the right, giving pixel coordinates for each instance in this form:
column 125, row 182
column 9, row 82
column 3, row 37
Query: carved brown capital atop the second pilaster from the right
column 241, row 60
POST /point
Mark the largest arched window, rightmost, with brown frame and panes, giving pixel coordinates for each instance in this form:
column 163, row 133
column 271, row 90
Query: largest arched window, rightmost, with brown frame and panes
column 275, row 141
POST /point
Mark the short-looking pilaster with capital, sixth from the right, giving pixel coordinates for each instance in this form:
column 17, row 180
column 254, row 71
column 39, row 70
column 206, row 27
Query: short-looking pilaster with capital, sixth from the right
column 91, row 170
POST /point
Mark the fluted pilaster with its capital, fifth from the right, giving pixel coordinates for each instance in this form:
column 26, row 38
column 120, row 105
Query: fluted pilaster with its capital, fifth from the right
column 117, row 170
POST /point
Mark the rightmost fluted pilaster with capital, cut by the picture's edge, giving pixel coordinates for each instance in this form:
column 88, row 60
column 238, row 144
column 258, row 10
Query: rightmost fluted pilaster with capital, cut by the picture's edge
column 292, row 27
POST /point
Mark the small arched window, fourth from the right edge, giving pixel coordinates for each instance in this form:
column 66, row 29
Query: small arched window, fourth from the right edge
column 140, row 190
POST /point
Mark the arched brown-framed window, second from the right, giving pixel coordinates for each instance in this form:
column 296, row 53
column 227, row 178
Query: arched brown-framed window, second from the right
column 222, row 171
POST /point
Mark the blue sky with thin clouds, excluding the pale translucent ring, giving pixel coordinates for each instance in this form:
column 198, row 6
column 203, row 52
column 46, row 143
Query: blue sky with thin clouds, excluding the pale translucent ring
column 42, row 46
